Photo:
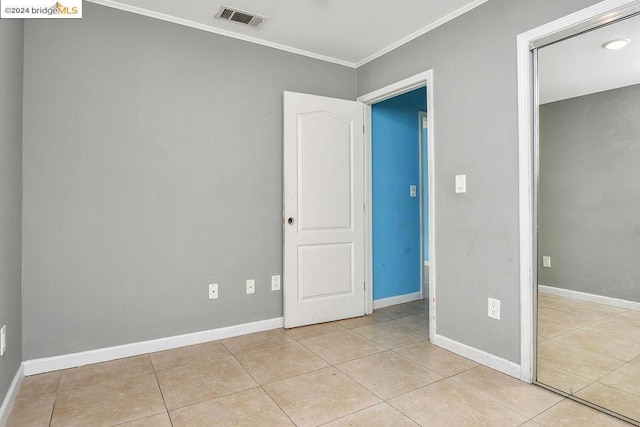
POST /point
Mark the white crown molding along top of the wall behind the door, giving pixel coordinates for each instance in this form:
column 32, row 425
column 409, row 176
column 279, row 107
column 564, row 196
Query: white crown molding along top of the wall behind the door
column 220, row 31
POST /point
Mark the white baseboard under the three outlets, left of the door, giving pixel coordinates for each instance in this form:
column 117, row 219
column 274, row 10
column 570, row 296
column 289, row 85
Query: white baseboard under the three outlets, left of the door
column 56, row 363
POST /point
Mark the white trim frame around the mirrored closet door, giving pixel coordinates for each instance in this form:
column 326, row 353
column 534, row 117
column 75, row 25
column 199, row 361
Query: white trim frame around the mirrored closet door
column 598, row 14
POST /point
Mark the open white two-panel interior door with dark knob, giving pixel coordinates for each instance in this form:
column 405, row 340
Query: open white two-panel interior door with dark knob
column 323, row 277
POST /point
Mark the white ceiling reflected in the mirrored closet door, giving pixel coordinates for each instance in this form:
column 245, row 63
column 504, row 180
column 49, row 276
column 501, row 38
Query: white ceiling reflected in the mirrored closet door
column 580, row 65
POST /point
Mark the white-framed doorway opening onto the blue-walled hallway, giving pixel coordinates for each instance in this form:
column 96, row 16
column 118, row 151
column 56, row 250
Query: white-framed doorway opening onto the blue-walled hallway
column 400, row 227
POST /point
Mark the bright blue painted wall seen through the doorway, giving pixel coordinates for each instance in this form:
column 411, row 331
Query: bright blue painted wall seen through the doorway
column 396, row 216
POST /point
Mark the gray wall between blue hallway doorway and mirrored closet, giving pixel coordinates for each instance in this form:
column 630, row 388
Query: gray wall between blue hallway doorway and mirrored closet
column 475, row 110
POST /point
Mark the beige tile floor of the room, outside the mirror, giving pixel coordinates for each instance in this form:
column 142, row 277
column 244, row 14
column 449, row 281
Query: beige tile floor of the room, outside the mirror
column 378, row 370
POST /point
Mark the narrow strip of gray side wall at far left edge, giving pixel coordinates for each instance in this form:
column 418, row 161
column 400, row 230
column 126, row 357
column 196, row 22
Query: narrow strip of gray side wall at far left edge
column 11, row 46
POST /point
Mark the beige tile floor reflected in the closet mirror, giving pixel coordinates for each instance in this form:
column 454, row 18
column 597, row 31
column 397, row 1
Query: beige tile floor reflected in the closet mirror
column 591, row 351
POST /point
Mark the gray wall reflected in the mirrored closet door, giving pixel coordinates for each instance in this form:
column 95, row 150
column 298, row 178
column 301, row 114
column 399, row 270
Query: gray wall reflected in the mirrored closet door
column 590, row 194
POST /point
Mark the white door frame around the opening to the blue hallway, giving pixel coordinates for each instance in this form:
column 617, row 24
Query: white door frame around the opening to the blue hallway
column 419, row 80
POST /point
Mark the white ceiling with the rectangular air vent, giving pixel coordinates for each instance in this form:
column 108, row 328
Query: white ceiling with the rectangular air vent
column 347, row 32
